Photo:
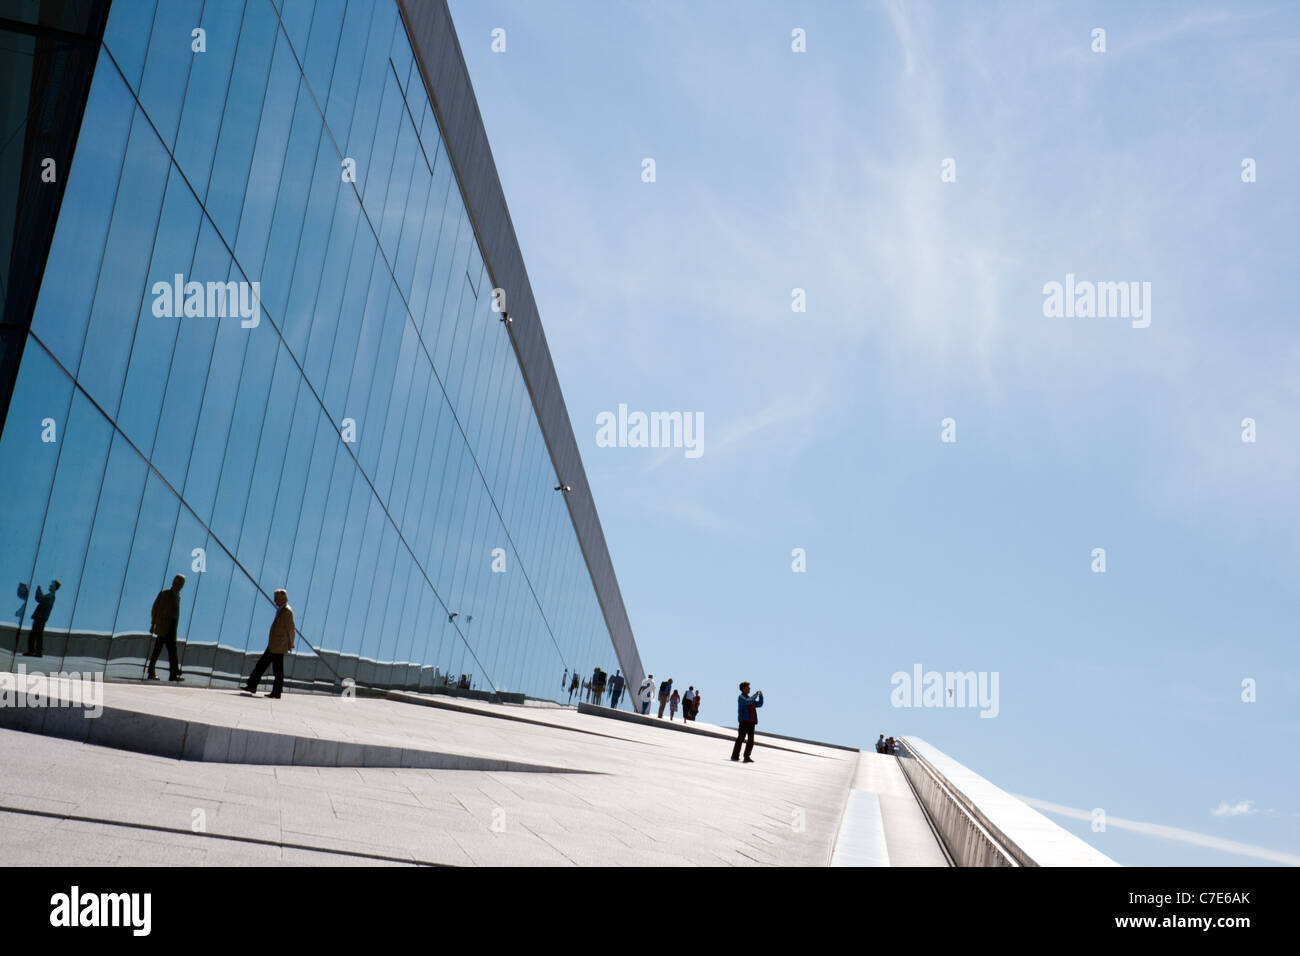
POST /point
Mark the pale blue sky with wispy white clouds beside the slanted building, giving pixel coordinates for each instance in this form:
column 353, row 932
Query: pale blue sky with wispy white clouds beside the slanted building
column 821, row 171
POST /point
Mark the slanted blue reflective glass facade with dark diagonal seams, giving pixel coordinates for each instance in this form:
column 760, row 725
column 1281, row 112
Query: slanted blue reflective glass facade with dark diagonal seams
column 265, row 356
